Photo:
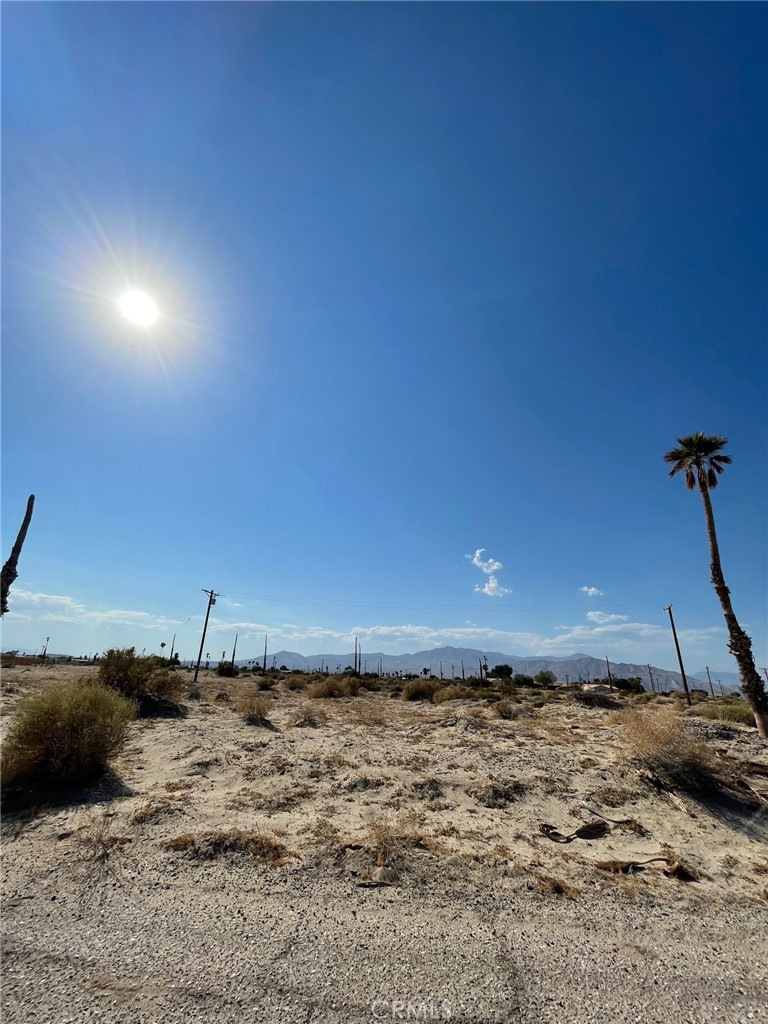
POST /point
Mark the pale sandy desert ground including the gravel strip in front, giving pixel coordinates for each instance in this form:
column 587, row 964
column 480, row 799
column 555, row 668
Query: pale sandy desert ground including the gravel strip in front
column 405, row 875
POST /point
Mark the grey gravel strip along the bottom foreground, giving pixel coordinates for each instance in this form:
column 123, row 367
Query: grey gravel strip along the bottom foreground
column 226, row 943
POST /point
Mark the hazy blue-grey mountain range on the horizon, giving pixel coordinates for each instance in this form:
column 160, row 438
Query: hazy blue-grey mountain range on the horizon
column 447, row 662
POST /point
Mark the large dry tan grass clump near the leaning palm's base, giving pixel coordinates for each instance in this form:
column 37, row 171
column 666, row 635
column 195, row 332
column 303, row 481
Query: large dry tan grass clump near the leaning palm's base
column 660, row 742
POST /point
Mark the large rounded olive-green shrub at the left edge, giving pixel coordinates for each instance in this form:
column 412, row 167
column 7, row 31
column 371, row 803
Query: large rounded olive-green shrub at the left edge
column 67, row 735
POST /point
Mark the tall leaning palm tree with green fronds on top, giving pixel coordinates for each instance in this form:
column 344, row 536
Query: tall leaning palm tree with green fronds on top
column 702, row 459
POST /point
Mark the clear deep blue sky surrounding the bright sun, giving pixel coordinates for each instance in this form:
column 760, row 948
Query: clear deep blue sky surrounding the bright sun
column 434, row 280
